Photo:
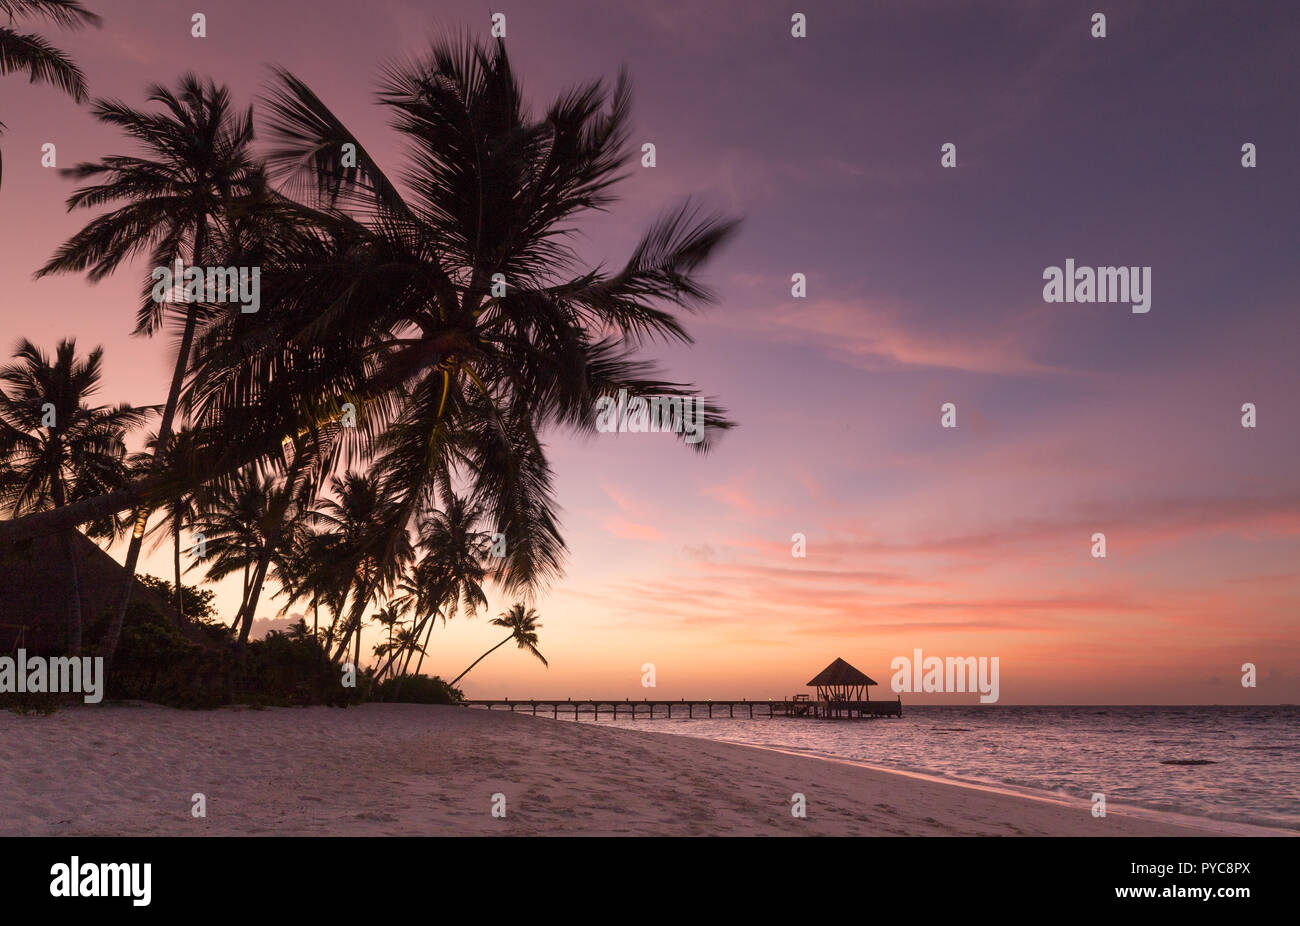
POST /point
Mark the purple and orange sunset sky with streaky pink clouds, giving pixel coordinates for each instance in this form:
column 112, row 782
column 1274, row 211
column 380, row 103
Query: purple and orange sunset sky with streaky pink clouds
column 924, row 288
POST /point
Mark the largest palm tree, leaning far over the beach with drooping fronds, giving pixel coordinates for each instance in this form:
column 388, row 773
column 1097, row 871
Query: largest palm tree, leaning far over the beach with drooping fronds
column 452, row 313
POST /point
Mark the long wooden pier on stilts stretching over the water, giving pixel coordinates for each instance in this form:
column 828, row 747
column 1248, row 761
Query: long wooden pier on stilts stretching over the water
column 648, row 709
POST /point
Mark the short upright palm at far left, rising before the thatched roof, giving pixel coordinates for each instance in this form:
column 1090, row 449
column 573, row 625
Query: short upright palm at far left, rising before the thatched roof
column 55, row 449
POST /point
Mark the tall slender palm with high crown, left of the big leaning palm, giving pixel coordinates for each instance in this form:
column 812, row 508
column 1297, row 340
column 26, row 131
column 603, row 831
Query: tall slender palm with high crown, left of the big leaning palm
column 183, row 192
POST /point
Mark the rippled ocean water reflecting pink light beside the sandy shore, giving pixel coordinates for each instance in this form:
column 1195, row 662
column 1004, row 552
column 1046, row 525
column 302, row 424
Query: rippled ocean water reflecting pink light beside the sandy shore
column 1247, row 759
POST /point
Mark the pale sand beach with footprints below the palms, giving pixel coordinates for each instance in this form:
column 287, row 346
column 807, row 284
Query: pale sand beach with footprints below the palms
column 385, row 769
